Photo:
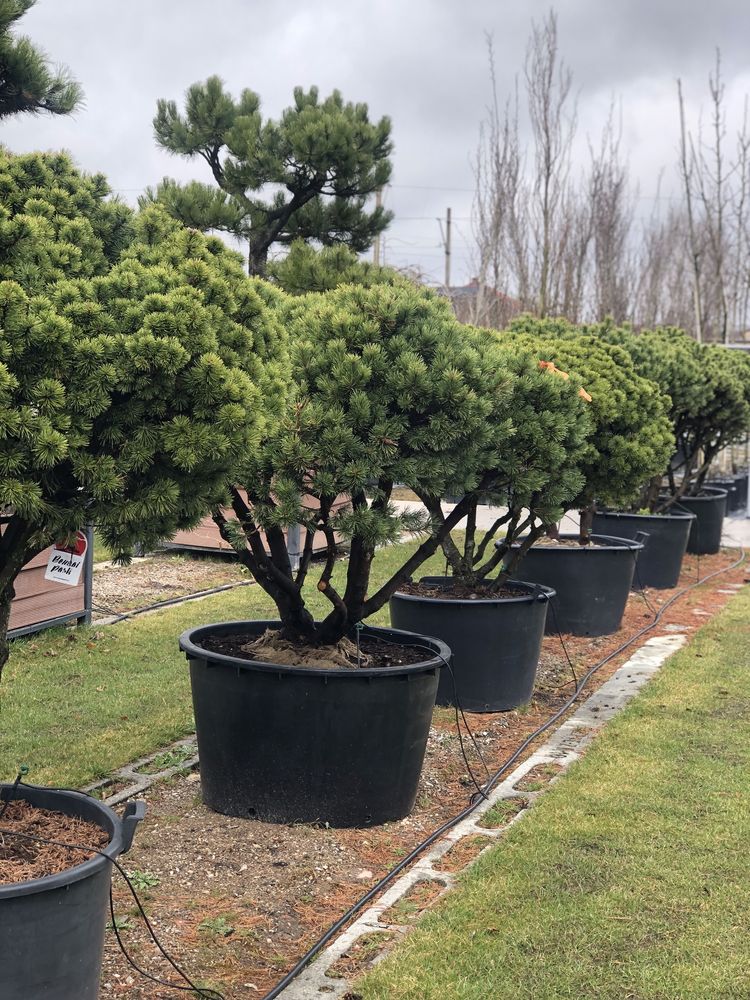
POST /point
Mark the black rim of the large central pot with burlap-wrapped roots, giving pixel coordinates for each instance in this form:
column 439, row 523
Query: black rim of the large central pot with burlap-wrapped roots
column 441, row 656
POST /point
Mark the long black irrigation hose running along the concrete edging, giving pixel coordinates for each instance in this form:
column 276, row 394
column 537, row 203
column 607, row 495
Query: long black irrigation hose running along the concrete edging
column 492, row 781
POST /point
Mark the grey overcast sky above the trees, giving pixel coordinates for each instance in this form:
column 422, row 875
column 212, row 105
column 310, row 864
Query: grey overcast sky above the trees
column 422, row 62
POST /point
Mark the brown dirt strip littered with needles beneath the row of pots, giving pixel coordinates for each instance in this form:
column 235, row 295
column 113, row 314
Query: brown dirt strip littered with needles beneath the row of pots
column 236, row 902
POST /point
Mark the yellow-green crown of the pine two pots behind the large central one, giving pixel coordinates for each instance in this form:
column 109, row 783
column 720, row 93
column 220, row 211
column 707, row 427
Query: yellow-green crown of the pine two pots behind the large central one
column 632, row 436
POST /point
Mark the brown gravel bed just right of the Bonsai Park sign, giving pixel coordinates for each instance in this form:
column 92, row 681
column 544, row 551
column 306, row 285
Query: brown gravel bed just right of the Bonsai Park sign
column 158, row 578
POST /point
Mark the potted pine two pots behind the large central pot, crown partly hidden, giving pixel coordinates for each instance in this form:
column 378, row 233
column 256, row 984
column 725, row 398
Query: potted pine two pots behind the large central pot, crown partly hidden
column 630, row 441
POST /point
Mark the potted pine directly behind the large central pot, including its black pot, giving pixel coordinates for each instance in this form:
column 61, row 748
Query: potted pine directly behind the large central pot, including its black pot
column 494, row 625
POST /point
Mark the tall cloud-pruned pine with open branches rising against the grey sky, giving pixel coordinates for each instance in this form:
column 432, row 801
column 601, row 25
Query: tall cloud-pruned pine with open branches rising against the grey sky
column 306, row 176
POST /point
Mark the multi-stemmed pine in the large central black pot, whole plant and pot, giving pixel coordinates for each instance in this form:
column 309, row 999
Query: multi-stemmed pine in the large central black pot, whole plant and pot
column 317, row 718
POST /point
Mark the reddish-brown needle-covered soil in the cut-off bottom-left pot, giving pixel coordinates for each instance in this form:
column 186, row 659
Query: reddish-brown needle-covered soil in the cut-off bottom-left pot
column 22, row 859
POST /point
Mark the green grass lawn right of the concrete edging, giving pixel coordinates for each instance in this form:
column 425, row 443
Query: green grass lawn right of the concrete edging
column 631, row 878
